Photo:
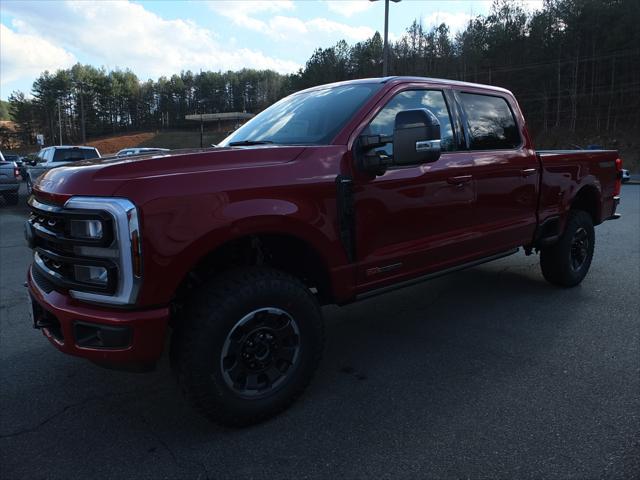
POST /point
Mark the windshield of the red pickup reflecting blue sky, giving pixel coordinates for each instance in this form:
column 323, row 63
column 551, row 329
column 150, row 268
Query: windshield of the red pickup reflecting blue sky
column 306, row 118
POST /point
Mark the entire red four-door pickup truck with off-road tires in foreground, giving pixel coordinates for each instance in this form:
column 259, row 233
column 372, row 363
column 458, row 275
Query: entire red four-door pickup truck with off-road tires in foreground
column 331, row 195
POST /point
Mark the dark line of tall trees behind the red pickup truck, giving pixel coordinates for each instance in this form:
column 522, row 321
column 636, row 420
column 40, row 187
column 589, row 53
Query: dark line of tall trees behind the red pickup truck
column 573, row 65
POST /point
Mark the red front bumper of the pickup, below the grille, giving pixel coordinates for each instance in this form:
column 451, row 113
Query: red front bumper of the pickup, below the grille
column 130, row 338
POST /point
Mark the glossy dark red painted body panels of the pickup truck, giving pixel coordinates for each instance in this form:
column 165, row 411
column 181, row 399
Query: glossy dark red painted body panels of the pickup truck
column 466, row 205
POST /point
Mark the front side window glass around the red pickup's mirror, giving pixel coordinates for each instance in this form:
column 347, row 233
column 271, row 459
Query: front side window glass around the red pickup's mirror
column 433, row 100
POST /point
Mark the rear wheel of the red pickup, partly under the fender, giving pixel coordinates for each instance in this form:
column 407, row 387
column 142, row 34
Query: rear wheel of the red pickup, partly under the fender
column 567, row 262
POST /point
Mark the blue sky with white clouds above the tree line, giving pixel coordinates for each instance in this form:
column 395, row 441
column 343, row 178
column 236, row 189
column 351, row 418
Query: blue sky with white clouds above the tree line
column 162, row 37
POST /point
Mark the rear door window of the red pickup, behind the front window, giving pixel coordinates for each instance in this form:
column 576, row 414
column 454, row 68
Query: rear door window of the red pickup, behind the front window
column 491, row 122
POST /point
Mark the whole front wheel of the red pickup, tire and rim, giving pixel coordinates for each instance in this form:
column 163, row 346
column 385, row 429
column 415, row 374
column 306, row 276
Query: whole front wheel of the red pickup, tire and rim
column 248, row 345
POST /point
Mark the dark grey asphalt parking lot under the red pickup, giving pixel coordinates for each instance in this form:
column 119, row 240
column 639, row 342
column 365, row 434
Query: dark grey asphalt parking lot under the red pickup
column 490, row 372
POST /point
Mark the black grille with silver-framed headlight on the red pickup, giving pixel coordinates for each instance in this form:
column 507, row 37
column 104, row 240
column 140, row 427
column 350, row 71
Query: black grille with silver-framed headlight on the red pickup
column 90, row 248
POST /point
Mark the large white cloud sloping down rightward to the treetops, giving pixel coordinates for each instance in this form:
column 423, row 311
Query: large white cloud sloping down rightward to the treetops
column 126, row 35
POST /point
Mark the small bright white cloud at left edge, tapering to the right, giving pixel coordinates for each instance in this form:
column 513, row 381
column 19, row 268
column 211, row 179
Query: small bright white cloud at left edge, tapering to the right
column 23, row 55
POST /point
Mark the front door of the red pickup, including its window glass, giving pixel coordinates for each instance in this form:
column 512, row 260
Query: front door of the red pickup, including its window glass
column 414, row 219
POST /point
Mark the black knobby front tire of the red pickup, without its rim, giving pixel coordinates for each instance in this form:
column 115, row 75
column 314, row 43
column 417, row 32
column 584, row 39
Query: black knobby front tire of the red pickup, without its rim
column 211, row 315
